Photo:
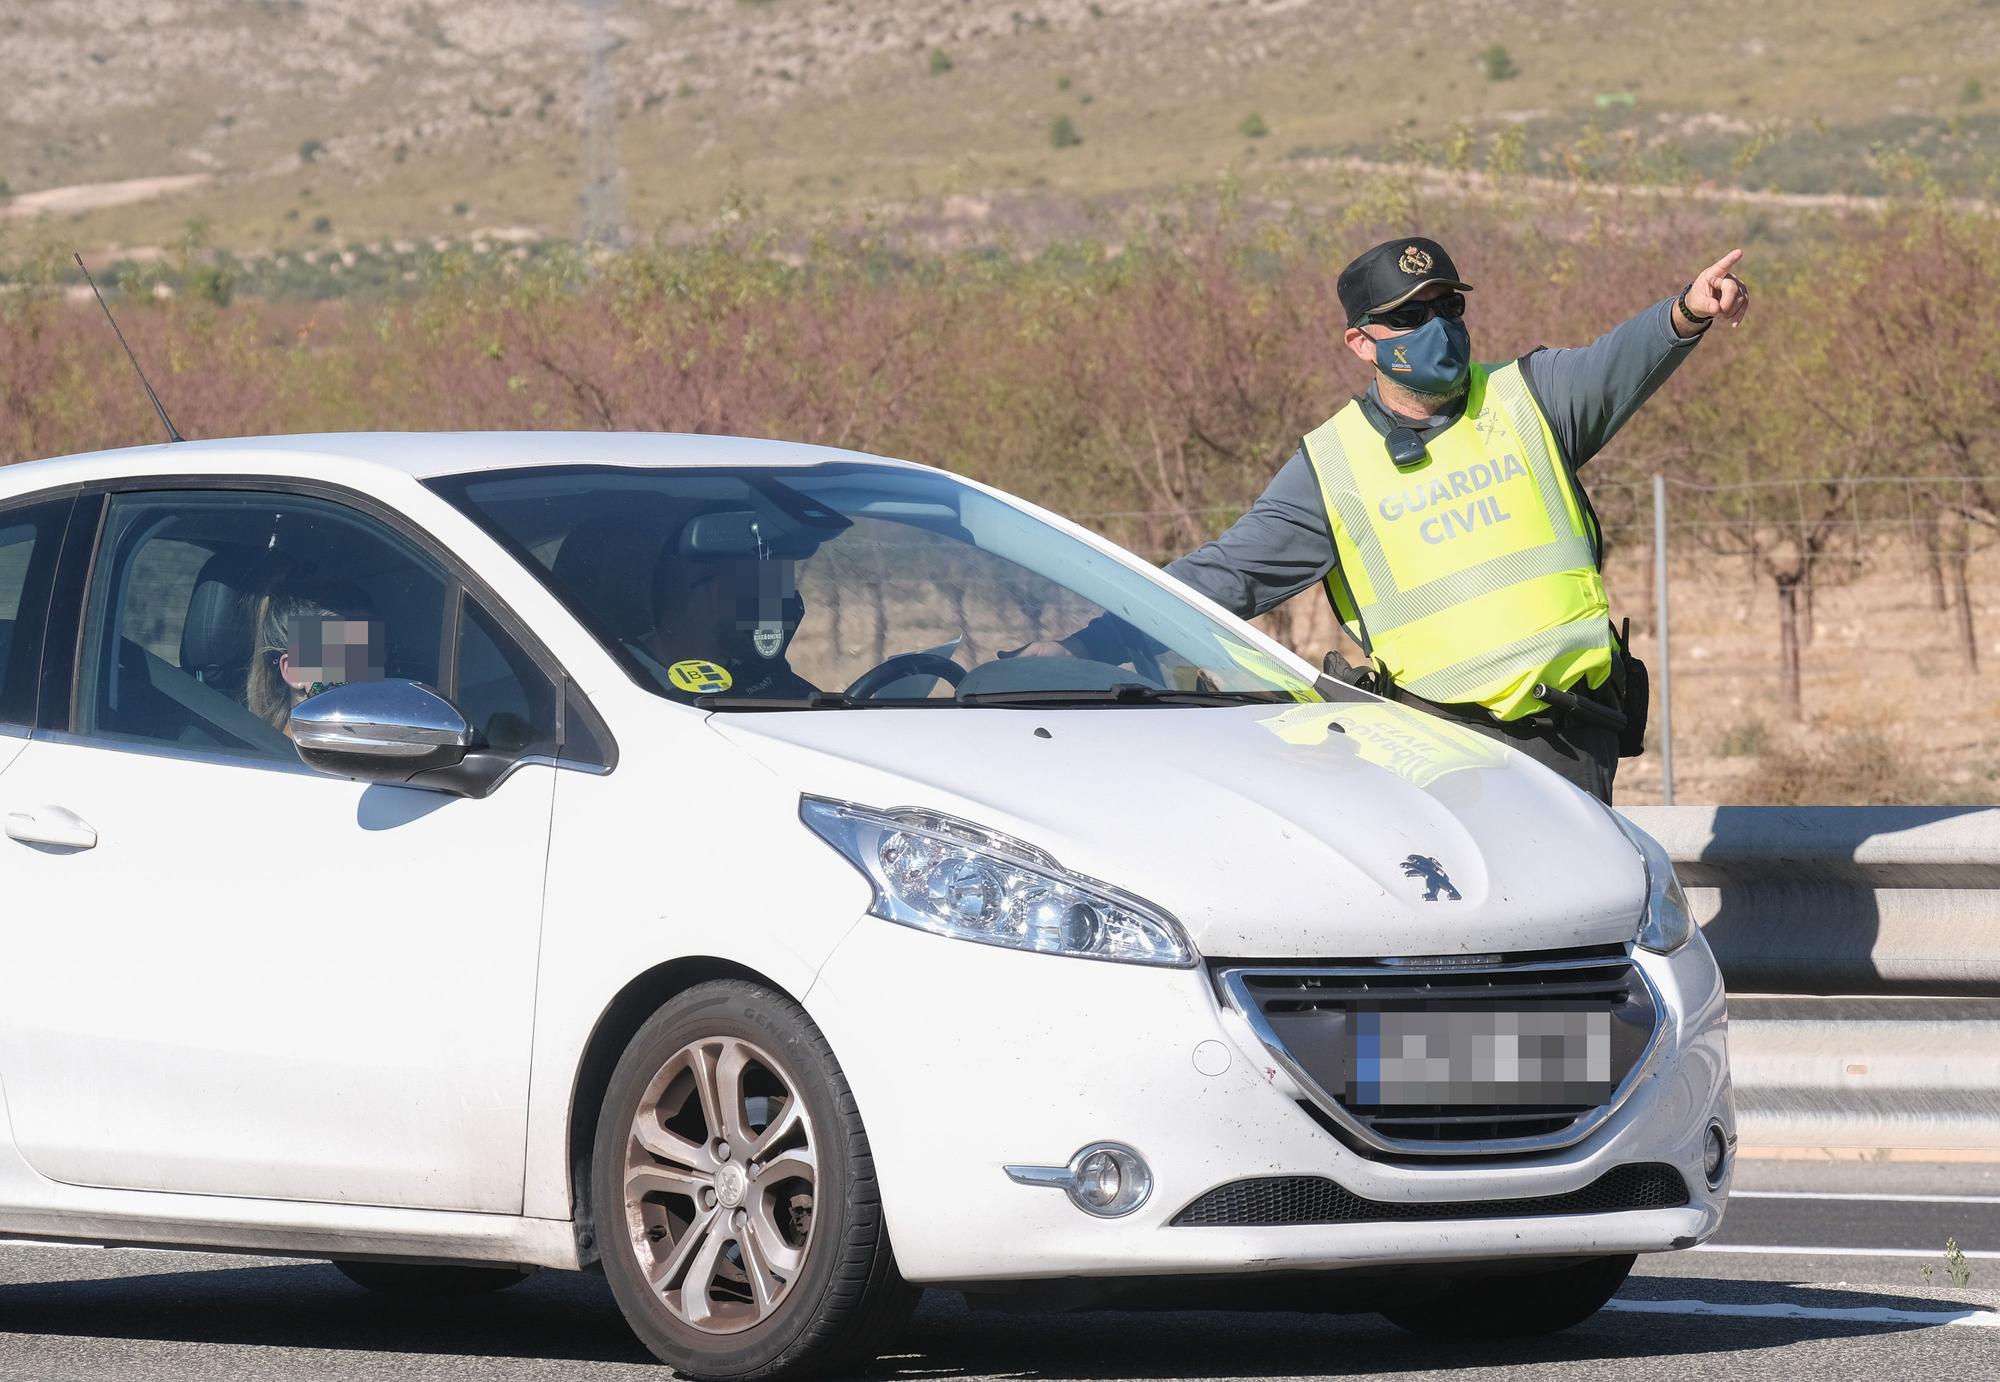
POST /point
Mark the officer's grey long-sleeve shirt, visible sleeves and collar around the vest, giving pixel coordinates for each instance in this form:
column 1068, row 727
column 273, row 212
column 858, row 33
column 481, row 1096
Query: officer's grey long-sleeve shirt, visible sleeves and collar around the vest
column 1283, row 545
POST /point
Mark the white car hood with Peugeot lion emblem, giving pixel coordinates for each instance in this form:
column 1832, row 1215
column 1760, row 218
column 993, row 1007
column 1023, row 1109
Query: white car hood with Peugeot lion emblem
column 1325, row 831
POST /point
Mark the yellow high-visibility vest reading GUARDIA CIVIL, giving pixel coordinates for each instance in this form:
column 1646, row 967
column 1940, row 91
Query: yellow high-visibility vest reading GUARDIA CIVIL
column 1471, row 575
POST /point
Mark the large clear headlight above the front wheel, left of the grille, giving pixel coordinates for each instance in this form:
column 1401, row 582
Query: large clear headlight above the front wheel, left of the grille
column 957, row 879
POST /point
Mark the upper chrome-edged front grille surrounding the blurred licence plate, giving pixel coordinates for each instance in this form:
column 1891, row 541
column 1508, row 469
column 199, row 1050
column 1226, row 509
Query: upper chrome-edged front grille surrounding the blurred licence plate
column 1313, row 1017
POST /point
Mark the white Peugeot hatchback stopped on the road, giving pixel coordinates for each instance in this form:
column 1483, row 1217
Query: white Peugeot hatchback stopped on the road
column 695, row 859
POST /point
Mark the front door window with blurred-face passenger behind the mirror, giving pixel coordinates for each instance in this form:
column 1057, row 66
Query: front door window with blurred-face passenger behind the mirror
column 211, row 615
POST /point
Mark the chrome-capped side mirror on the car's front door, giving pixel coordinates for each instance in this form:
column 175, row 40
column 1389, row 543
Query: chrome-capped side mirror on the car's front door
column 385, row 733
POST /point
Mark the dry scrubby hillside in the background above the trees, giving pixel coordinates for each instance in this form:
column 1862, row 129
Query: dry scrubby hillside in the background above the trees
column 393, row 119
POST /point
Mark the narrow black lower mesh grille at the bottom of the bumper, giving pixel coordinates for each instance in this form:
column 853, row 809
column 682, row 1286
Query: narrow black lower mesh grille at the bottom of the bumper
column 1281, row 1201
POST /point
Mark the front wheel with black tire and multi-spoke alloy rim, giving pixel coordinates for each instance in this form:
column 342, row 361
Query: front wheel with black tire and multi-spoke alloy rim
column 777, row 1269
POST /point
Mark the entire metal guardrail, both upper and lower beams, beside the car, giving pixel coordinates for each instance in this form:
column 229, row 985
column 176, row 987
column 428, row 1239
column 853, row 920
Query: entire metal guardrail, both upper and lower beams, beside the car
column 1863, row 955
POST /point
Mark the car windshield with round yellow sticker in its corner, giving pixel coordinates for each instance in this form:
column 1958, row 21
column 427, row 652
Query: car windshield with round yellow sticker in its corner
column 855, row 585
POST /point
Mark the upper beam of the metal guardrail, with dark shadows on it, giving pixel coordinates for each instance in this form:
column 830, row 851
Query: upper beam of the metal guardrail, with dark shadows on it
column 1843, row 899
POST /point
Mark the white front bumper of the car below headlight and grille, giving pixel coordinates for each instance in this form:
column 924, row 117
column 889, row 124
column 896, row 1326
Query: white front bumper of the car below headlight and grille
column 969, row 1059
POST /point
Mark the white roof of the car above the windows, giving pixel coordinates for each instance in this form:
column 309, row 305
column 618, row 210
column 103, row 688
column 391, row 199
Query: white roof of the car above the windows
column 357, row 457
